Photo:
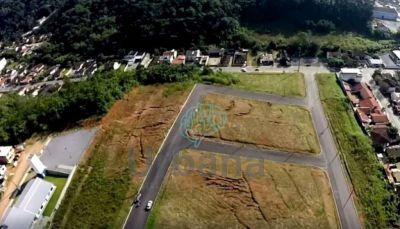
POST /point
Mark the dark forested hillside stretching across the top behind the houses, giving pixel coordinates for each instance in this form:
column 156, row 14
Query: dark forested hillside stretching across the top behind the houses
column 87, row 28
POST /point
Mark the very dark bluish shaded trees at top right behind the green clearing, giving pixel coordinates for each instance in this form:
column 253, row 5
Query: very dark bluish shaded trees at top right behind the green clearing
column 321, row 16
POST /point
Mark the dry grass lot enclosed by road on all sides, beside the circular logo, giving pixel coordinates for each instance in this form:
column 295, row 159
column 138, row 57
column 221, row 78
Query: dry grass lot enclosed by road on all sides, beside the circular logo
column 257, row 123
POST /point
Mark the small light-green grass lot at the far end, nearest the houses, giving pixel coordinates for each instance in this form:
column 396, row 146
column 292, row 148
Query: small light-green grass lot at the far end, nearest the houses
column 285, row 84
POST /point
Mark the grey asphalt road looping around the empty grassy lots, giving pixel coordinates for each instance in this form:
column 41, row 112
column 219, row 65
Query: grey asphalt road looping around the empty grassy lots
column 328, row 159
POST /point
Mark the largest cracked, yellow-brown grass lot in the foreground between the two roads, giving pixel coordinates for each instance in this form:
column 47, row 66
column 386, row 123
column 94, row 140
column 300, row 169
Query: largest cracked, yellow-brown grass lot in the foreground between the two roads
column 276, row 196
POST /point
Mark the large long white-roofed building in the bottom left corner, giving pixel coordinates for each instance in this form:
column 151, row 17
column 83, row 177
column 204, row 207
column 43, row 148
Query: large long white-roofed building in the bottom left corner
column 30, row 205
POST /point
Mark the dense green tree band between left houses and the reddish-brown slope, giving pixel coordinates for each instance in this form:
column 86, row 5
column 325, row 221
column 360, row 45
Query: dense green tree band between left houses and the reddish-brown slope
column 21, row 116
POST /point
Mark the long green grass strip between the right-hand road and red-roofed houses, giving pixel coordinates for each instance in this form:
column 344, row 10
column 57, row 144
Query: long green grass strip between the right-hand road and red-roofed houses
column 358, row 154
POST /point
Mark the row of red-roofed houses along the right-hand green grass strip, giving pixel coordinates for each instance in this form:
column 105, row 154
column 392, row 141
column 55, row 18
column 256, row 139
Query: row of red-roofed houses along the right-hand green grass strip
column 374, row 120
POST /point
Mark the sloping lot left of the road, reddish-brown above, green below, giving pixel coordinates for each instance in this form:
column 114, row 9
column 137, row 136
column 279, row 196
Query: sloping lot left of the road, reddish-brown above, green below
column 105, row 183
